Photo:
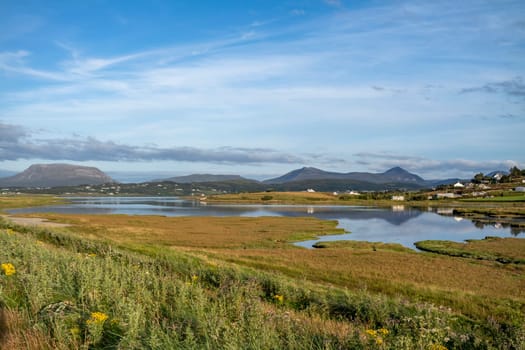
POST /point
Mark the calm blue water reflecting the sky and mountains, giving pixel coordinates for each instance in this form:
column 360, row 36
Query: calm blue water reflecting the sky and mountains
column 393, row 225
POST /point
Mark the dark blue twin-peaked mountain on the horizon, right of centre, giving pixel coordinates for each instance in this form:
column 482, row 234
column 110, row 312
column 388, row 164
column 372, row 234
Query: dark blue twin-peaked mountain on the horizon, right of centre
column 395, row 175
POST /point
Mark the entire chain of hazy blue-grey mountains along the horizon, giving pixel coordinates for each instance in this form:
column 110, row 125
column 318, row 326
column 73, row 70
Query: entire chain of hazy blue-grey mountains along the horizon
column 55, row 175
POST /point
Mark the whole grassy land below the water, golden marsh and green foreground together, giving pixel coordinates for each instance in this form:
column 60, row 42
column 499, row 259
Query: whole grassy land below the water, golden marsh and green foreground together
column 134, row 282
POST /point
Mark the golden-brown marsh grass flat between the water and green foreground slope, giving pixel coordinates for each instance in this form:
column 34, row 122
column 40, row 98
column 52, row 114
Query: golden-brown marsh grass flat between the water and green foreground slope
column 253, row 242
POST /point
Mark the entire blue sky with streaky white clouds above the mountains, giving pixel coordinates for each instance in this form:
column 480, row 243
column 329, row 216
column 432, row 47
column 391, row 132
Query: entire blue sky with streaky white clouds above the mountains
column 259, row 88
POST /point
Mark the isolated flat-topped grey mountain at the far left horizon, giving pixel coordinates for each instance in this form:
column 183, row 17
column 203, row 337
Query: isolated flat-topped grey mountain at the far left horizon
column 54, row 175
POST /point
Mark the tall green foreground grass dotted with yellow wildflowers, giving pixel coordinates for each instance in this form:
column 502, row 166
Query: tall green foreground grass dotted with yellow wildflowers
column 73, row 293
